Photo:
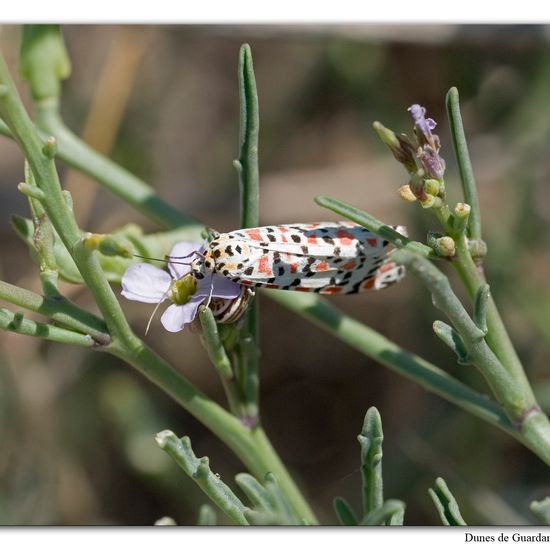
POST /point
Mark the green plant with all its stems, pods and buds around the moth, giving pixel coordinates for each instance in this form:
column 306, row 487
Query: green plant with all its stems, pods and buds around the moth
column 62, row 250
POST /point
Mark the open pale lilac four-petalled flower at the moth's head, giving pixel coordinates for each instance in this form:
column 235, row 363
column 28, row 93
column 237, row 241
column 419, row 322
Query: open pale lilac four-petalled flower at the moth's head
column 152, row 285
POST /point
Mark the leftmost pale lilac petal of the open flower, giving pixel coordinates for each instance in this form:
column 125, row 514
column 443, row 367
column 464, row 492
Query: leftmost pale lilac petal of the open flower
column 145, row 283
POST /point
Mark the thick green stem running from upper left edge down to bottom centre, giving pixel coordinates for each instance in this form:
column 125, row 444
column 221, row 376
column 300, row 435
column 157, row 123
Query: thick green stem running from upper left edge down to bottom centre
column 255, row 453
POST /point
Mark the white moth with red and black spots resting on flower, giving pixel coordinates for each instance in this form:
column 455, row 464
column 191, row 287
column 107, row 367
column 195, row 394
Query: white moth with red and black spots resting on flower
column 324, row 257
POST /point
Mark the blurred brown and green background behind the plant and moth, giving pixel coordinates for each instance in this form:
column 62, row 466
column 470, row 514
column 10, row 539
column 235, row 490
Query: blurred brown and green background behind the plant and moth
column 76, row 428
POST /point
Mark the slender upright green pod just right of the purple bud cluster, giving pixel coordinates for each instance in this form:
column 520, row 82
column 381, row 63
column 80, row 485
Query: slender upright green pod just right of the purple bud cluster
column 464, row 163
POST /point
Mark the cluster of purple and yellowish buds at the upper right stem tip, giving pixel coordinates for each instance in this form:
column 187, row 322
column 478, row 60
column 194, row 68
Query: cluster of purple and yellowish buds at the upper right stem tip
column 420, row 157
